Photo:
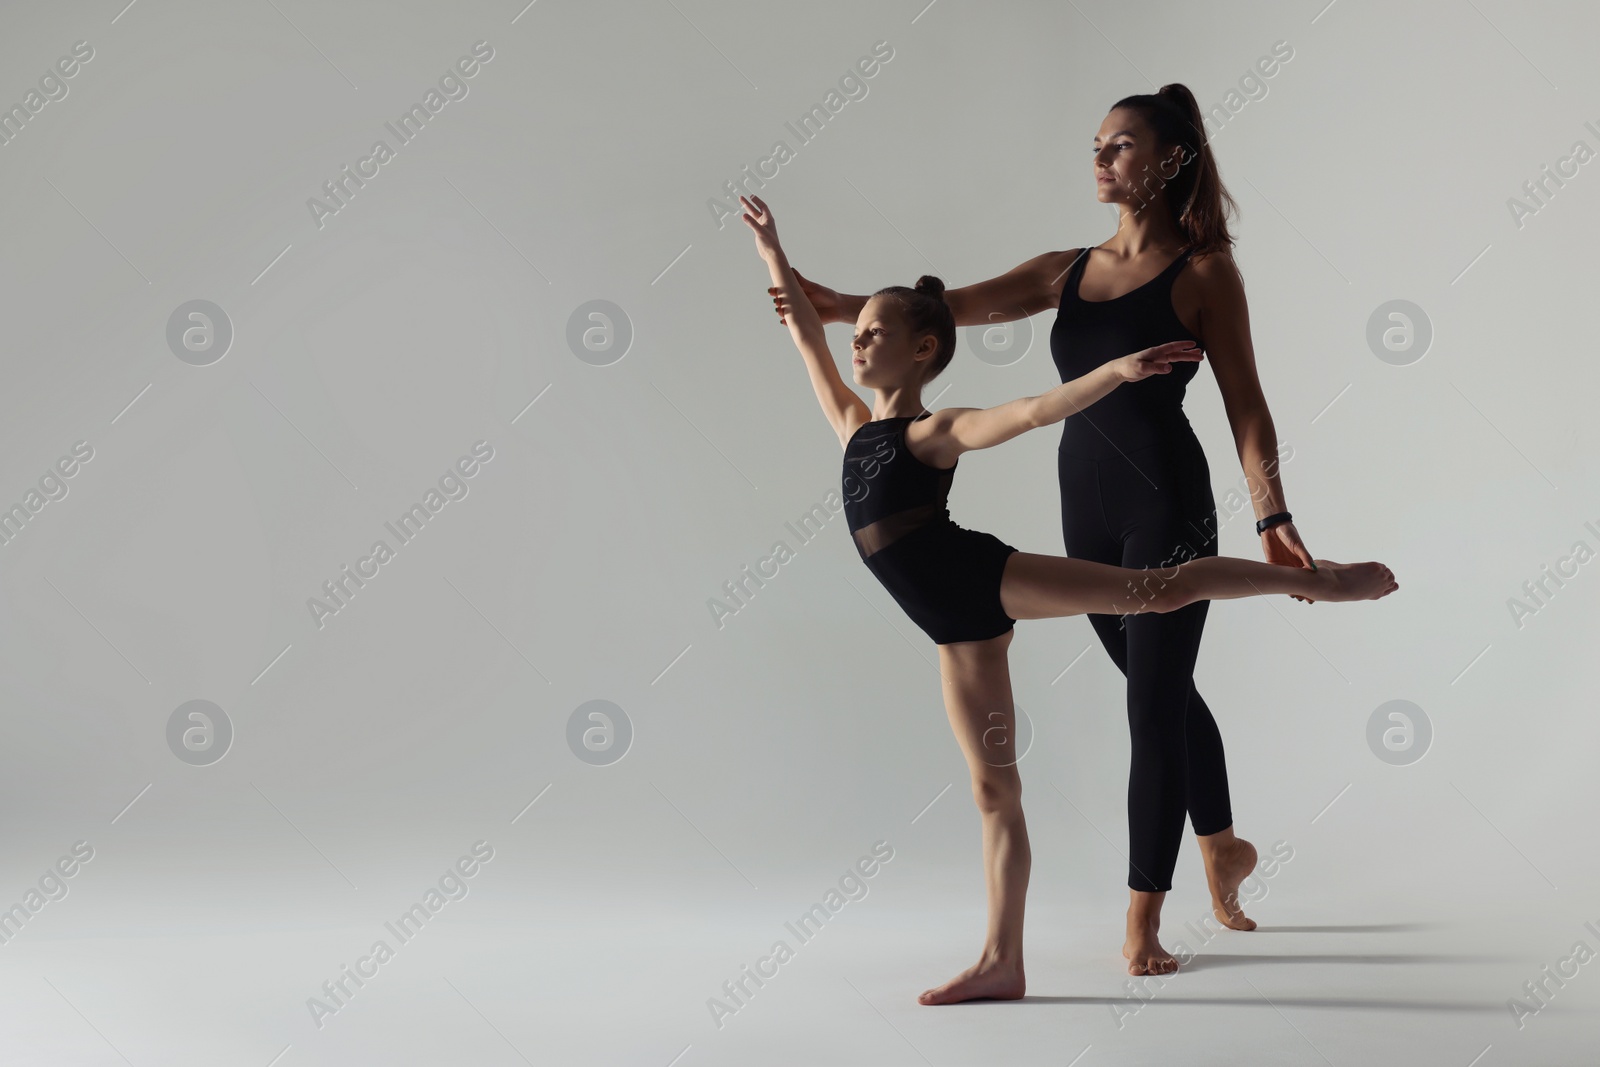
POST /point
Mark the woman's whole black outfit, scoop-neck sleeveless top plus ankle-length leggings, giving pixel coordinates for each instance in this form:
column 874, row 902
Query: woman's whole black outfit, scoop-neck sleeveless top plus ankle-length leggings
column 1137, row 492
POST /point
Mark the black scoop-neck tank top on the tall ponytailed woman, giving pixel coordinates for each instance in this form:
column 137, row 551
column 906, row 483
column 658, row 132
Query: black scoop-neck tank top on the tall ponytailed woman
column 1089, row 334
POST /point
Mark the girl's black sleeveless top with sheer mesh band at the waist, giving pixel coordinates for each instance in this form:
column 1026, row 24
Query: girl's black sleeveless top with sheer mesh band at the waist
column 889, row 494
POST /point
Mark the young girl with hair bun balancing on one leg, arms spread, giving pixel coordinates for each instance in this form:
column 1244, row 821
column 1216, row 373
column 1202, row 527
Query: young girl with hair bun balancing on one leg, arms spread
column 967, row 589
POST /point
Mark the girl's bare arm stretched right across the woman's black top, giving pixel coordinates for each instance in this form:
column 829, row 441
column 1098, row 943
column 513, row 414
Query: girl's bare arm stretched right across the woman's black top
column 967, row 430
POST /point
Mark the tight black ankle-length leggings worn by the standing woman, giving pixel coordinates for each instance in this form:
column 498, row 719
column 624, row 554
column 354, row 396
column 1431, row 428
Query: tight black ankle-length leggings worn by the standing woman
column 1153, row 510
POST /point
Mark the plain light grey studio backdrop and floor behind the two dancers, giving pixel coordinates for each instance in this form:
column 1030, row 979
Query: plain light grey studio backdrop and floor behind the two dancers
column 353, row 362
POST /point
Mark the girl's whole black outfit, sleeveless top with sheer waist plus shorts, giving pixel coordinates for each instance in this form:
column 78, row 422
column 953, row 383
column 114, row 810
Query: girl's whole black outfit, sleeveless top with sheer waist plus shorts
column 945, row 577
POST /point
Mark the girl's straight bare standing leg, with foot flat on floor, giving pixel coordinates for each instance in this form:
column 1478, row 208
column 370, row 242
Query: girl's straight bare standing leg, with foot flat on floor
column 978, row 703
